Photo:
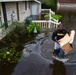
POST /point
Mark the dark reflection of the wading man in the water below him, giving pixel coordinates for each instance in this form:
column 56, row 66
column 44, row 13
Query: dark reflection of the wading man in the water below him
column 58, row 68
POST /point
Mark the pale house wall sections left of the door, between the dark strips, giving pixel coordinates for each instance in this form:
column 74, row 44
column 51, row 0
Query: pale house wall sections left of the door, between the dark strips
column 11, row 6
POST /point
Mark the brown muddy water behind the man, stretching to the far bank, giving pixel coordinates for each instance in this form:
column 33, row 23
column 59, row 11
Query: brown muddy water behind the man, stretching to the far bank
column 68, row 19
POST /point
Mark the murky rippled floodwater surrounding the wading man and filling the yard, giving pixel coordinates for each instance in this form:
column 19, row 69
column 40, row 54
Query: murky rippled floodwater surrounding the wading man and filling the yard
column 37, row 56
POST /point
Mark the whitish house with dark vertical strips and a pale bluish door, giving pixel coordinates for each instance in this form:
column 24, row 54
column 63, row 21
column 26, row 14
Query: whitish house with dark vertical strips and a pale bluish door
column 21, row 8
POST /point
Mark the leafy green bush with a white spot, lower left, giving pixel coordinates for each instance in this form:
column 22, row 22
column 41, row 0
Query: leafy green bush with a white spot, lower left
column 8, row 56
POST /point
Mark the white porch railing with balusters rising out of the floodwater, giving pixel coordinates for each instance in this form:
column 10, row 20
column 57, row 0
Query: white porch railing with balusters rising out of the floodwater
column 51, row 23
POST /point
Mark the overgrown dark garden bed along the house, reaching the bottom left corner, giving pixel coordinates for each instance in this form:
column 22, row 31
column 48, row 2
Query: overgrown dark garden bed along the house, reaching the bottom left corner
column 11, row 46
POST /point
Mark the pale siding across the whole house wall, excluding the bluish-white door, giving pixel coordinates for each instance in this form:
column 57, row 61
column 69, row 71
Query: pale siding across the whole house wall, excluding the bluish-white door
column 19, row 10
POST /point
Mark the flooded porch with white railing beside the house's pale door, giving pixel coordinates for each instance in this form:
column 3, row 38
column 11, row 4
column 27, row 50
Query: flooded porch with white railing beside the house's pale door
column 40, row 20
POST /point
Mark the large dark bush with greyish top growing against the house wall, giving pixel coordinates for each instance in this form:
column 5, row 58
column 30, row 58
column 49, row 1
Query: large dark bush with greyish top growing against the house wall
column 16, row 37
